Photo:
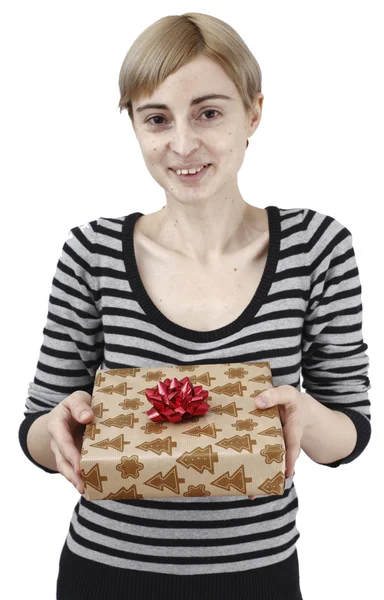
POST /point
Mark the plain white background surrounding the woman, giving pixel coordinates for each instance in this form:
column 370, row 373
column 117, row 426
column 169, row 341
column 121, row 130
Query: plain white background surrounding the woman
column 69, row 156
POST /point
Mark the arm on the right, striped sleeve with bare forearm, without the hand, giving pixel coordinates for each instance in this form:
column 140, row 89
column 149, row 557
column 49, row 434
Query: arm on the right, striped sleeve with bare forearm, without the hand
column 334, row 359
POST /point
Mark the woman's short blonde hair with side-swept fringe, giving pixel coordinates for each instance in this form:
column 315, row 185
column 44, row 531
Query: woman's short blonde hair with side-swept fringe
column 174, row 41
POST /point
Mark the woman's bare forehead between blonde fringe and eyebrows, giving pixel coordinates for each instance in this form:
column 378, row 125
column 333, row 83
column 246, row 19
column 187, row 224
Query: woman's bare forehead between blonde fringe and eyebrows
column 201, row 77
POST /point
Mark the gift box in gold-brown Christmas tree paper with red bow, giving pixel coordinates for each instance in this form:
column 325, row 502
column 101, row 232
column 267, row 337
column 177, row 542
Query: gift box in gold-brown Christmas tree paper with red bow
column 182, row 431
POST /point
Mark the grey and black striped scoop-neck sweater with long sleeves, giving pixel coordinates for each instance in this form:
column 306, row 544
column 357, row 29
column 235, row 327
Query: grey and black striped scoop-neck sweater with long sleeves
column 305, row 318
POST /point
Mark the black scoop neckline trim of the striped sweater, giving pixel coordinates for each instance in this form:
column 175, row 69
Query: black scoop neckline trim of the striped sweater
column 158, row 318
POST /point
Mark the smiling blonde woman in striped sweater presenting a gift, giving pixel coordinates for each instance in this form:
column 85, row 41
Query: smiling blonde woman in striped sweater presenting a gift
column 209, row 278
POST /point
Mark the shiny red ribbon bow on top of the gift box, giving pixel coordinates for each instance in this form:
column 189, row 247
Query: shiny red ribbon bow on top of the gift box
column 175, row 400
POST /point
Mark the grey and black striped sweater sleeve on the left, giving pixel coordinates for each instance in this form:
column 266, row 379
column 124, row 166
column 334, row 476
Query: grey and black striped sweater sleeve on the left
column 72, row 346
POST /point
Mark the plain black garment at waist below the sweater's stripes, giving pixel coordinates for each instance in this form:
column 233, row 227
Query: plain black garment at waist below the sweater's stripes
column 83, row 579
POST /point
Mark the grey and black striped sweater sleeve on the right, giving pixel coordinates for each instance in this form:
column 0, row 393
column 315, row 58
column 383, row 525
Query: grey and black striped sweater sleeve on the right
column 334, row 360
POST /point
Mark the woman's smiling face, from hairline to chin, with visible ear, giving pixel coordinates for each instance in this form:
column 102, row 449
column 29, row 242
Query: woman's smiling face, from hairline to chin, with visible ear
column 185, row 134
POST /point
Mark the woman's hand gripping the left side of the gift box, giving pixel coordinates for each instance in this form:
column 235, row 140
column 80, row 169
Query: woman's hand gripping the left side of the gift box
column 66, row 427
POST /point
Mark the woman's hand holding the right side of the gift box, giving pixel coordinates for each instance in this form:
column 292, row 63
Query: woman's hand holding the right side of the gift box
column 293, row 418
